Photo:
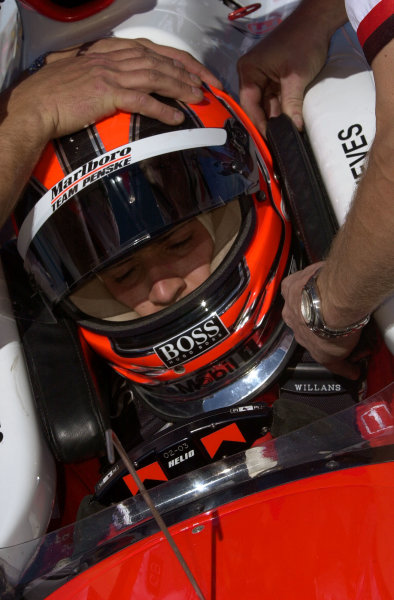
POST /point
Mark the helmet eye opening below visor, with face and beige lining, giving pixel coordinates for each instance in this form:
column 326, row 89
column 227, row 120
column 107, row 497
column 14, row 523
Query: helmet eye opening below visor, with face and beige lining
column 163, row 271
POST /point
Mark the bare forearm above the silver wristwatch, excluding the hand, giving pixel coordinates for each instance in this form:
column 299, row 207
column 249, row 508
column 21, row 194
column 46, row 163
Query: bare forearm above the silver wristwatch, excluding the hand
column 359, row 272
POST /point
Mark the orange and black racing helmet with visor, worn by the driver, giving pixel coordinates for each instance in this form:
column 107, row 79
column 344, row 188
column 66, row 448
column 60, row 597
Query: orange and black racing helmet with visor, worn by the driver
column 129, row 204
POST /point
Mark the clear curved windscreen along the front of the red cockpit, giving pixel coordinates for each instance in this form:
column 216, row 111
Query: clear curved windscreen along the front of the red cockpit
column 35, row 568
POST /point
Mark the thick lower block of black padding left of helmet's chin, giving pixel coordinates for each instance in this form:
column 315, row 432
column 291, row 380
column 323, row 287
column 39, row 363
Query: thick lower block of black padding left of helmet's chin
column 68, row 400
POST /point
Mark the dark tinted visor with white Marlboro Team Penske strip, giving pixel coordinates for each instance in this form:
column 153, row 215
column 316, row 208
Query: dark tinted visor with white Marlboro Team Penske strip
column 88, row 225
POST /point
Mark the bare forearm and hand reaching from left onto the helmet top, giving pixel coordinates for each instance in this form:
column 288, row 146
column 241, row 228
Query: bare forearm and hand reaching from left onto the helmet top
column 72, row 91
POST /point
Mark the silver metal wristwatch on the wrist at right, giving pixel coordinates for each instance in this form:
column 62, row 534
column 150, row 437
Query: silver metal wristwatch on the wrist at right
column 311, row 312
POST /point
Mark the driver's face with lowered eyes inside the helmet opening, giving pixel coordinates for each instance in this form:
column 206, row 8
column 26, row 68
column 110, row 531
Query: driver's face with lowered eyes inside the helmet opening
column 164, row 271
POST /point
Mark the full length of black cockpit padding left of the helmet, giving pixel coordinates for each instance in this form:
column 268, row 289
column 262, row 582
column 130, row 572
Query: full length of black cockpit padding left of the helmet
column 69, row 383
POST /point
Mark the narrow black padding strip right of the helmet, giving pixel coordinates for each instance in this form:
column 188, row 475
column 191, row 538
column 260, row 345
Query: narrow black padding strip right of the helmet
column 310, row 209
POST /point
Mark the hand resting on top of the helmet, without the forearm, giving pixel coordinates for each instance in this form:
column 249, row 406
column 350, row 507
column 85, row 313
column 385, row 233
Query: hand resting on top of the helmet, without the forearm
column 72, row 92
